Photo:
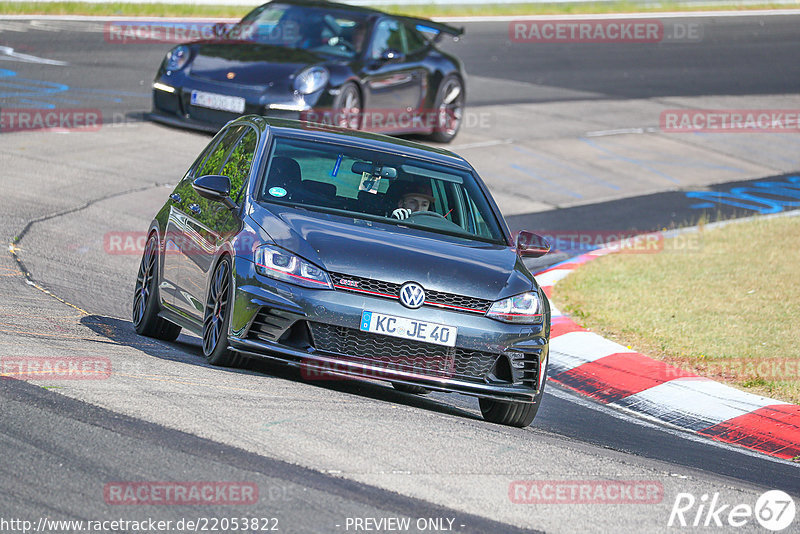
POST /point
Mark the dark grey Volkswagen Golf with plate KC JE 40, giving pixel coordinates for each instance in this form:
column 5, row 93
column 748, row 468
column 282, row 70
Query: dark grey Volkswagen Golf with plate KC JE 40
column 348, row 254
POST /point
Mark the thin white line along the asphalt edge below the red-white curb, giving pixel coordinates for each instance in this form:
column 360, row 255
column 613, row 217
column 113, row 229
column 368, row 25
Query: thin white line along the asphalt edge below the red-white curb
column 630, row 416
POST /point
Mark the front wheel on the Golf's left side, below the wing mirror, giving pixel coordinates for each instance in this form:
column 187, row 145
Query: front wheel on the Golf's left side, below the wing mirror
column 219, row 304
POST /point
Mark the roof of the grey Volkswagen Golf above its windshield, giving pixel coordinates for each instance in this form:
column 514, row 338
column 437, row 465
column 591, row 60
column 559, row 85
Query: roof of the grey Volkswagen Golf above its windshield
column 305, row 130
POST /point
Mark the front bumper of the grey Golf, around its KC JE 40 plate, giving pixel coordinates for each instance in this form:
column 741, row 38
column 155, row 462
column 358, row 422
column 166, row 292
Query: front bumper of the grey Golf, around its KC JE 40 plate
column 282, row 322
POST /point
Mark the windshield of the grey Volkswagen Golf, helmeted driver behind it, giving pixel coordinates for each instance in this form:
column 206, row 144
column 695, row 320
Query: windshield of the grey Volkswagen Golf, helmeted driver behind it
column 374, row 185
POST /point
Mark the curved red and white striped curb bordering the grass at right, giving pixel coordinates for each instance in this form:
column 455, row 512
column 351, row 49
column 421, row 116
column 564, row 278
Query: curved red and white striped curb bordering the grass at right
column 617, row 376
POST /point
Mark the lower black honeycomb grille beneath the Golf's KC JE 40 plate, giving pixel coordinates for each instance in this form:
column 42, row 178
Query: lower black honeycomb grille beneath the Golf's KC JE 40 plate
column 402, row 354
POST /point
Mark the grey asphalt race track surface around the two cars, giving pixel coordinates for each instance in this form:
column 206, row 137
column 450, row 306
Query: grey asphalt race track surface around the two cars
column 566, row 136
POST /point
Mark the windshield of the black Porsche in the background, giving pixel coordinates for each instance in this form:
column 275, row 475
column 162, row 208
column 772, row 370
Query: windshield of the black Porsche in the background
column 332, row 31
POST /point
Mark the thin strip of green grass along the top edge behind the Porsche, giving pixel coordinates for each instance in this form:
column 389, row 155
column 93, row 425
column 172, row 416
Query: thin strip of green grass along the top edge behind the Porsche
column 224, row 11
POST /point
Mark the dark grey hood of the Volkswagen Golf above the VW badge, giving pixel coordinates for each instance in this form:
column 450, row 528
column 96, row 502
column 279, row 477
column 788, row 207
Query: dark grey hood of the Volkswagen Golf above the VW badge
column 396, row 254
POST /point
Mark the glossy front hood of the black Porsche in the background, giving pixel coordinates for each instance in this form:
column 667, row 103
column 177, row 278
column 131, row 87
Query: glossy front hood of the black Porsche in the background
column 248, row 63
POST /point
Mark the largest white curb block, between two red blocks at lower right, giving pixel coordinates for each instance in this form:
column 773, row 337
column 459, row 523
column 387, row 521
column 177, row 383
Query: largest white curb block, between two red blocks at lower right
column 695, row 403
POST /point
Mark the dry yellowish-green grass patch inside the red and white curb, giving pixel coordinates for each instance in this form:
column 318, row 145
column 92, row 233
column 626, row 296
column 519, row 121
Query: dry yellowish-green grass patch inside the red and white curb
column 729, row 309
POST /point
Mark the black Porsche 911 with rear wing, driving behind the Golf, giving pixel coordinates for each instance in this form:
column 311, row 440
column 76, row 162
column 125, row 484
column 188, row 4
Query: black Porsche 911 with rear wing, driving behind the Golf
column 319, row 62
